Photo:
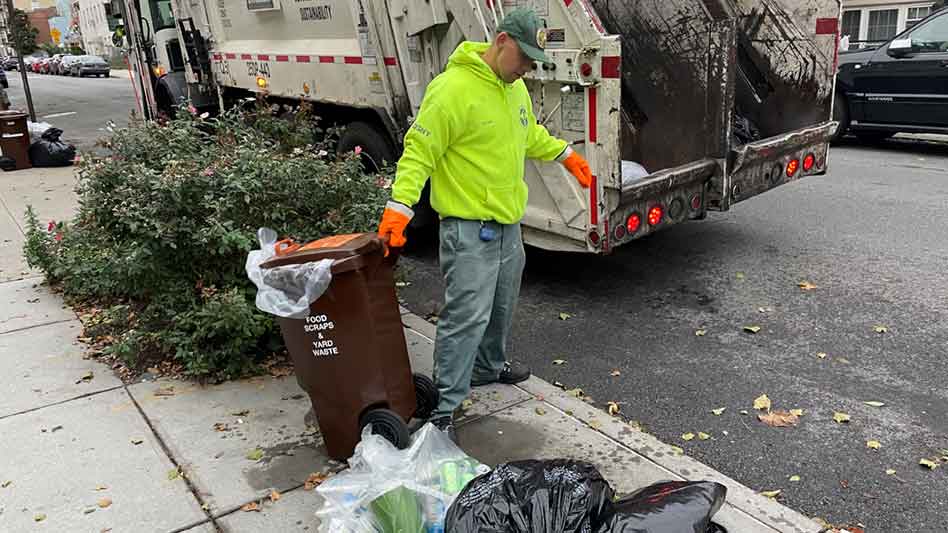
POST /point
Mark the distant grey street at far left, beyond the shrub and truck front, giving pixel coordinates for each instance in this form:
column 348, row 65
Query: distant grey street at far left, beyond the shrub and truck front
column 81, row 107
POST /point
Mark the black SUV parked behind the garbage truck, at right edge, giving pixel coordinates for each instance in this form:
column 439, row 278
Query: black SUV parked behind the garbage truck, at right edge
column 901, row 86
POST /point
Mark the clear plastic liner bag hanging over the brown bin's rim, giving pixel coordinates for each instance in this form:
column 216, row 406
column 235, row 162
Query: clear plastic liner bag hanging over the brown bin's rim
column 285, row 291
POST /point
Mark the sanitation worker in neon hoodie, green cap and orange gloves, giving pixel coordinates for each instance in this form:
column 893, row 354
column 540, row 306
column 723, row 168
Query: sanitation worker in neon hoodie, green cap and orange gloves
column 472, row 135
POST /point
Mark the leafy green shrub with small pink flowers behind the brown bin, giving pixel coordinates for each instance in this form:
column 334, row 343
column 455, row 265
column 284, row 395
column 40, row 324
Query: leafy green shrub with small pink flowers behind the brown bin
column 167, row 217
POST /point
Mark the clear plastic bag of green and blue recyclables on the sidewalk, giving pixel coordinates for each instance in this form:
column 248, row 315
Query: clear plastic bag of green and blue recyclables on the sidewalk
column 387, row 490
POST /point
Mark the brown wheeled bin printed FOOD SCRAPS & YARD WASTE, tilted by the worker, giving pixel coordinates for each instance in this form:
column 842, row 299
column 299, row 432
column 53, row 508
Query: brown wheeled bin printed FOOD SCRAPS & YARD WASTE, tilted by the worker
column 350, row 353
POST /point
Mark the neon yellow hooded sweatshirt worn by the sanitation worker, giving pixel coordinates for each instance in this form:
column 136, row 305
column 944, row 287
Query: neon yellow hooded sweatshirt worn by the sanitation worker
column 472, row 135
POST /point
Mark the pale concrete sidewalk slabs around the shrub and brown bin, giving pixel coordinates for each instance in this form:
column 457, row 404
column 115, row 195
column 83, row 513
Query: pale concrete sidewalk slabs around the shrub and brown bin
column 84, row 452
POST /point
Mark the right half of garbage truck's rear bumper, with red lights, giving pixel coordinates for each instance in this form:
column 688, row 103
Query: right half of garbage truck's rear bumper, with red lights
column 760, row 166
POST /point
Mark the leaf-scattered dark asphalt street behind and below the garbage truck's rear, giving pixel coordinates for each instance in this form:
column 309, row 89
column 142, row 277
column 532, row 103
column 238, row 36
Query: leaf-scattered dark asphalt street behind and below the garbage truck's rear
column 871, row 236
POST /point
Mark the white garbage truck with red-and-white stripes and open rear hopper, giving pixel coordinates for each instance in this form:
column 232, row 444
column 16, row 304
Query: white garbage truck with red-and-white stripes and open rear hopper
column 681, row 107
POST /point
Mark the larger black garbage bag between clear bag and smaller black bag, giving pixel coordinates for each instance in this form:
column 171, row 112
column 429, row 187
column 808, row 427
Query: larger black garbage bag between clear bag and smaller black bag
column 533, row 497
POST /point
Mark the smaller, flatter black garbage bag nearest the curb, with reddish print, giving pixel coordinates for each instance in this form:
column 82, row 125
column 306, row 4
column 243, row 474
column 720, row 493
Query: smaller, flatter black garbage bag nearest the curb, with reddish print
column 669, row 507
